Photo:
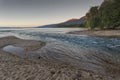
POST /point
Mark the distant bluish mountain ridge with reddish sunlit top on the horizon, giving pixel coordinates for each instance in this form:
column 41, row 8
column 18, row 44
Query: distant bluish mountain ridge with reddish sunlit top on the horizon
column 66, row 23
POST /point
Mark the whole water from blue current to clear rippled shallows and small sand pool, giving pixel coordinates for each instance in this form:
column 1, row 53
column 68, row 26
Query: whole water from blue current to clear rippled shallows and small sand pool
column 86, row 52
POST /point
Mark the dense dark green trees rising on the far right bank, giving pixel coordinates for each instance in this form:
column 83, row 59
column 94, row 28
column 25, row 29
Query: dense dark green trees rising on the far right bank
column 106, row 16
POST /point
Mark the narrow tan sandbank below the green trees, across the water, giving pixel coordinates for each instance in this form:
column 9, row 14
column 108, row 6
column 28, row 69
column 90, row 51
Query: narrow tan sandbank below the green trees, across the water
column 99, row 33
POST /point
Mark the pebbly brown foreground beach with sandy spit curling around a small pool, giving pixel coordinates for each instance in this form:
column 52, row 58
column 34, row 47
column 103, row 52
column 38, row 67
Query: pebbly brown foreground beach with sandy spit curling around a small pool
column 14, row 67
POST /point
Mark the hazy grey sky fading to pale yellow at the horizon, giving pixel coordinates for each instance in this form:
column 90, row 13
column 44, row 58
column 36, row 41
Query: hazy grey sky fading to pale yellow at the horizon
column 41, row 12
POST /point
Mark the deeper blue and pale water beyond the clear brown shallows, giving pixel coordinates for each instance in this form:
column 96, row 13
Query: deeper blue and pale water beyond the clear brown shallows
column 57, row 35
